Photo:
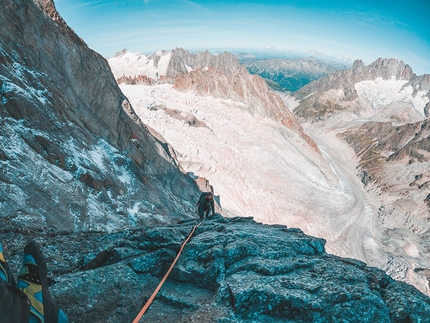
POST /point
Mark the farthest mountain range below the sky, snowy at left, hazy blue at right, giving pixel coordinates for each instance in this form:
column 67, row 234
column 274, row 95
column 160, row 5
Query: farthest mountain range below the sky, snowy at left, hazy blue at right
column 281, row 74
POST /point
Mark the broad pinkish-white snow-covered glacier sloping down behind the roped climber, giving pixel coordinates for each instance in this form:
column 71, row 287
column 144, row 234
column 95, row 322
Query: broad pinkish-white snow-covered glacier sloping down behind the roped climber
column 258, row 167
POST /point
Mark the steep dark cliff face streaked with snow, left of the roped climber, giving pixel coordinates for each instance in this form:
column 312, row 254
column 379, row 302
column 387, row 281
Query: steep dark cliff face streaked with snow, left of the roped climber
column 74, row 155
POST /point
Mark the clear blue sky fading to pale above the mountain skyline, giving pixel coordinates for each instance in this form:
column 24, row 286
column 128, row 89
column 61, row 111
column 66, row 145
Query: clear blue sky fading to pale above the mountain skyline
column 366, row 29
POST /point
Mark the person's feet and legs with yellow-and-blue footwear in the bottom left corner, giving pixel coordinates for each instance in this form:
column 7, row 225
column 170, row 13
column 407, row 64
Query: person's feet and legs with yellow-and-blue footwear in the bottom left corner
column 29, row 300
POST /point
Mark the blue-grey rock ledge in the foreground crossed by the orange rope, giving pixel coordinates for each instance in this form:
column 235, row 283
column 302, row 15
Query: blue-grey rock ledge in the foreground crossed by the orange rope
column 232, row 270
